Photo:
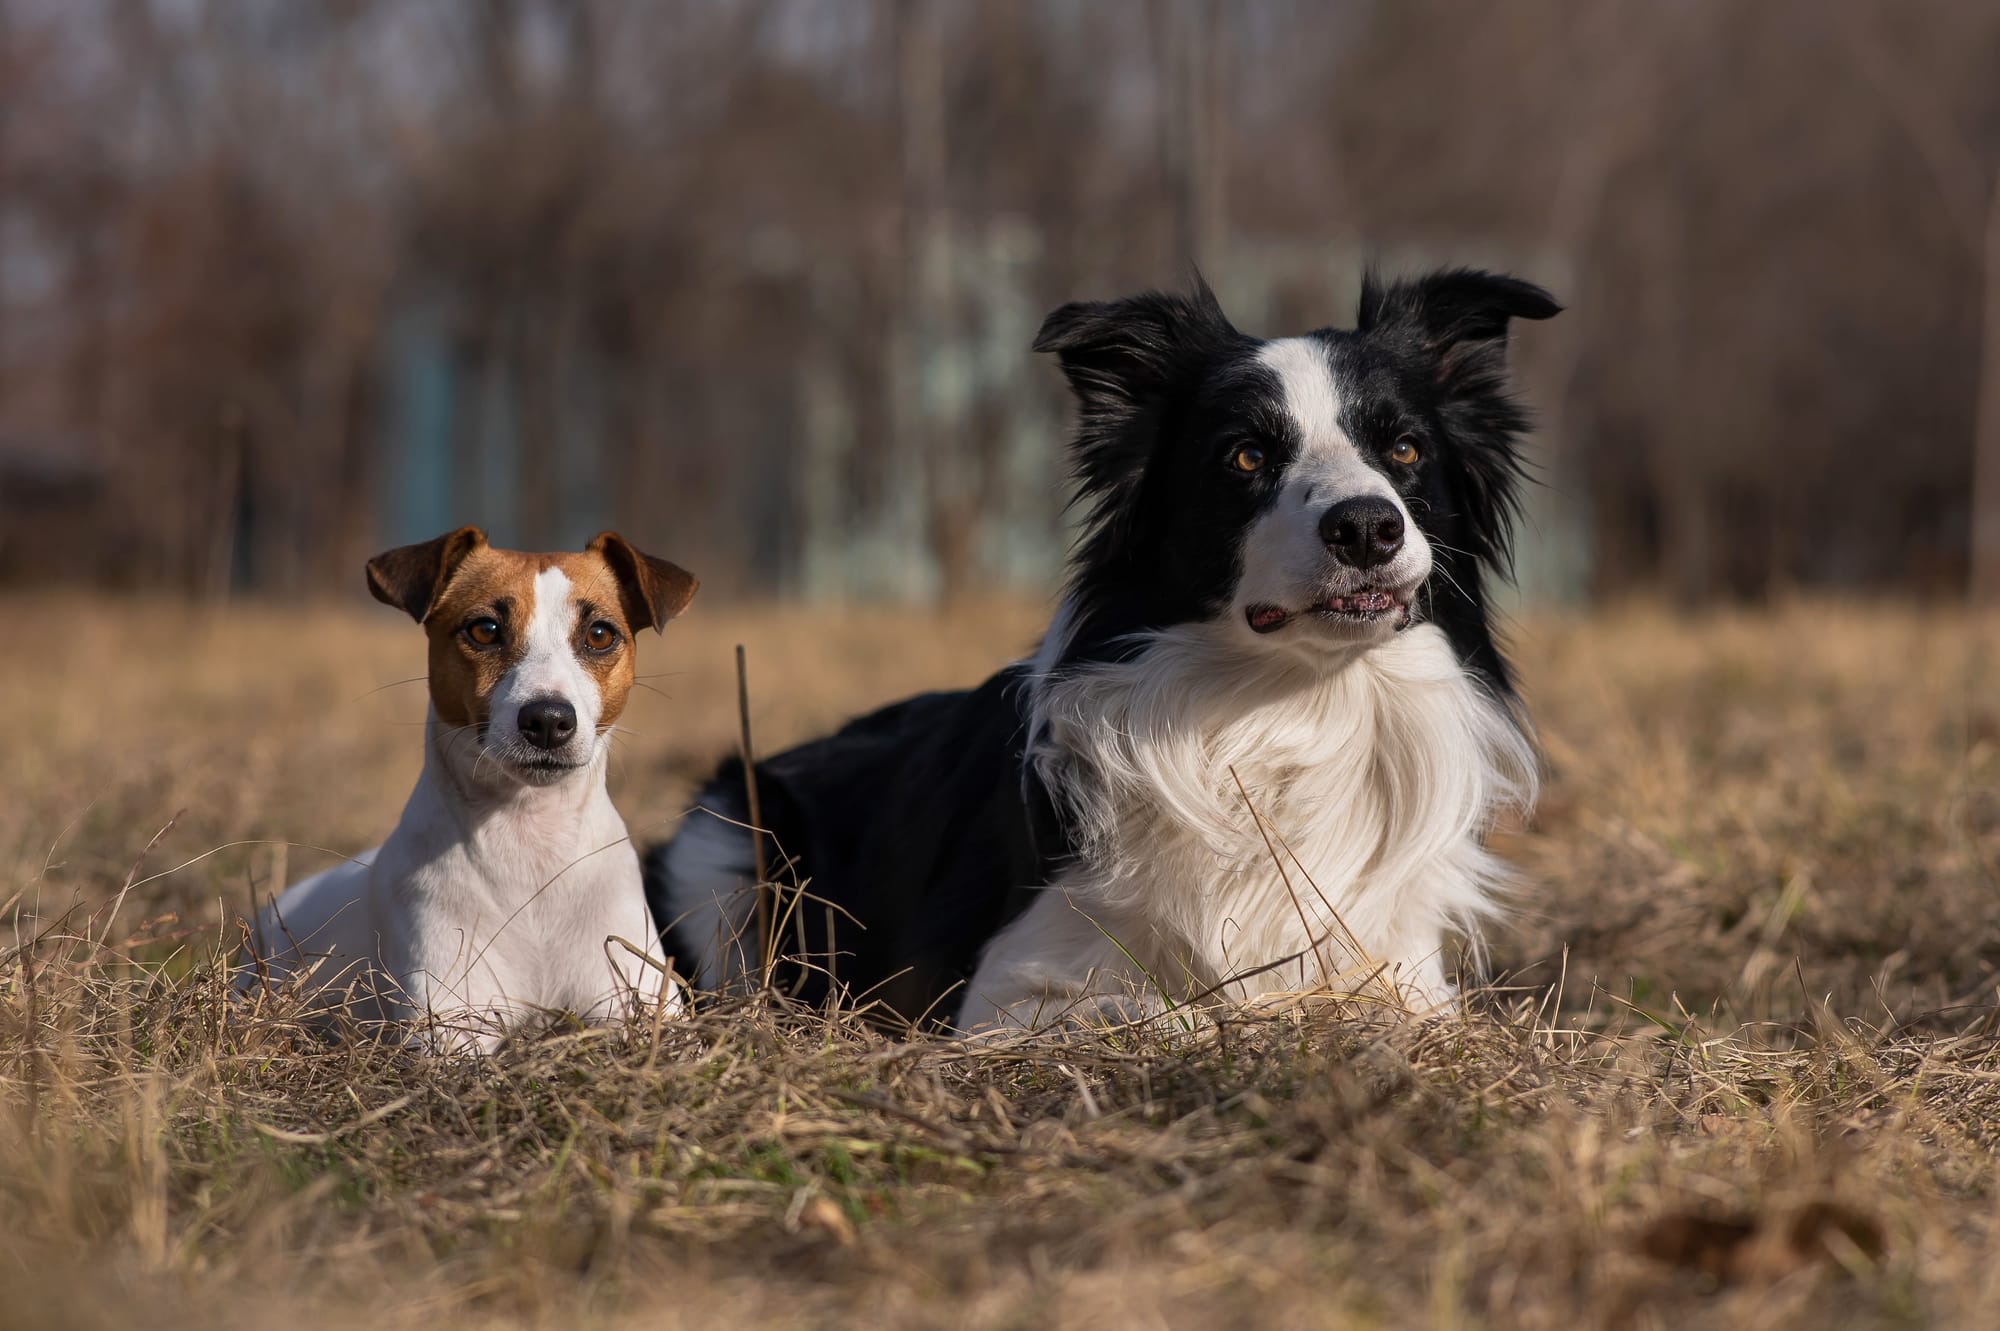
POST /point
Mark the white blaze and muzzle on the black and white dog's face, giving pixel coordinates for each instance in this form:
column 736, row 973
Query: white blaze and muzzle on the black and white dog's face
column 1335, row 549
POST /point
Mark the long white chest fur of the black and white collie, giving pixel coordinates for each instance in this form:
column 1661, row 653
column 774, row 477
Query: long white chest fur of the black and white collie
column 1371, row 776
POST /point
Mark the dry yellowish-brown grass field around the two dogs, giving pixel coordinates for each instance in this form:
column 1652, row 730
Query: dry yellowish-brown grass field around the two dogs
column 1737, row 1070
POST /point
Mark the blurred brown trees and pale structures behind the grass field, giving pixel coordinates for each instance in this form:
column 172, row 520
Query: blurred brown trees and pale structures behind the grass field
column 755, row 281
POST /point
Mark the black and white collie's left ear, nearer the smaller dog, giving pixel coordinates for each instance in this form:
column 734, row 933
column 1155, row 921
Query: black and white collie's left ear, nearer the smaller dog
column 1123, row 359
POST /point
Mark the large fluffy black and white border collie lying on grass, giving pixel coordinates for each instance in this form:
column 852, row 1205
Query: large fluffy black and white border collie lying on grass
column 1263, row 736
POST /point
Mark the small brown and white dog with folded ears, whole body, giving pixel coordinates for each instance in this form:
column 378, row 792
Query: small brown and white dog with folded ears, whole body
column 511, row 888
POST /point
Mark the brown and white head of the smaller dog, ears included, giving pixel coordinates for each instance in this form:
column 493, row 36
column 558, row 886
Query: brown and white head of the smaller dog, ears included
column 531, row 655
